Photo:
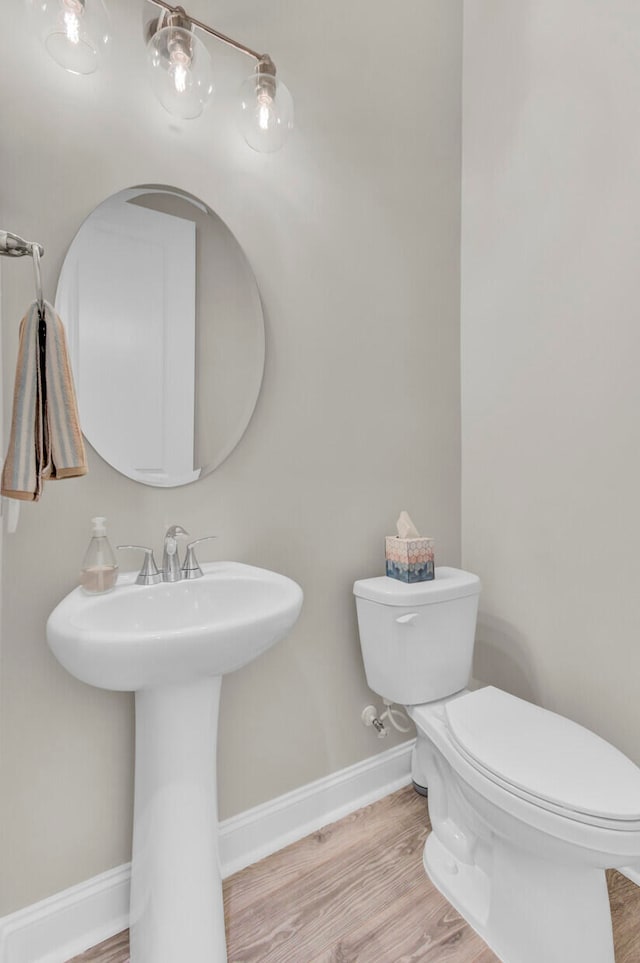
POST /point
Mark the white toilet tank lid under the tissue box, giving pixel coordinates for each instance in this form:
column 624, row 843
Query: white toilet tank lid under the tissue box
column 448, row 584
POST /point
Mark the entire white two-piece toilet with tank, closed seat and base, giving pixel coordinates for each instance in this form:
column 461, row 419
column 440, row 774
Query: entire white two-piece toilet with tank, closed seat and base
column 528, row 809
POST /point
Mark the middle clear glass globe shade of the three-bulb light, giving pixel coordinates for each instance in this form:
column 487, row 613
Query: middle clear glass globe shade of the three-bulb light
column 180, row 70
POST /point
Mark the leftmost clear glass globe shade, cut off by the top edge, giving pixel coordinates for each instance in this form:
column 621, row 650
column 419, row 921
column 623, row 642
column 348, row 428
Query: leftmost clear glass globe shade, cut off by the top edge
column 75, row 32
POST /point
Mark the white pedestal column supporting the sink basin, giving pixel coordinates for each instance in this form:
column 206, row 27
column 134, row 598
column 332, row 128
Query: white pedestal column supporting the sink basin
column 176, row 887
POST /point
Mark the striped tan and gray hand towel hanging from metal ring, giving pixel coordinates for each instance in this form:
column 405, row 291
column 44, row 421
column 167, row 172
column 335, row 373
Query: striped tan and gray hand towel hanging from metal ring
column 46, row 440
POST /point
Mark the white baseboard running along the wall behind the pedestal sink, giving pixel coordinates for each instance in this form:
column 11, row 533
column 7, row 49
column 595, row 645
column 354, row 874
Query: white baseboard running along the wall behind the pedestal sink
column 68, row 923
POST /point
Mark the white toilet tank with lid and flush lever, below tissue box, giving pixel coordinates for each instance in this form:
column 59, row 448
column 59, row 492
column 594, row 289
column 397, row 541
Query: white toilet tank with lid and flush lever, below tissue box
column 417, row 639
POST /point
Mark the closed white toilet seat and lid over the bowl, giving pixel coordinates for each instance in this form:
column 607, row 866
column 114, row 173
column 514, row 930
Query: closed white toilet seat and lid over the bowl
column 545, row 758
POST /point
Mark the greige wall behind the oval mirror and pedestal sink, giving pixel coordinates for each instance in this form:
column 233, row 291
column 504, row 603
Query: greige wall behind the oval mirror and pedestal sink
column 353, row 234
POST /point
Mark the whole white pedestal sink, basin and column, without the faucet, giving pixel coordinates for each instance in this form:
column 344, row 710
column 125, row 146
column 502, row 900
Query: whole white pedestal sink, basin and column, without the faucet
column 171, row 643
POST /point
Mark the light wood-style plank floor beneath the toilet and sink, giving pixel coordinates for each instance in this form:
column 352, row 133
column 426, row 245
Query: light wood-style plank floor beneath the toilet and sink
column 356, row 892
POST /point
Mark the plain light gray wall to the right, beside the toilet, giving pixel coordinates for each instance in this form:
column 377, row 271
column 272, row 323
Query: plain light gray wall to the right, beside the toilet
column 551, row 340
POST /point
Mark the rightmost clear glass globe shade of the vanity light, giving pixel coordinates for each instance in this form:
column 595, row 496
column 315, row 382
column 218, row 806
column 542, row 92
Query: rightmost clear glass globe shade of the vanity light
column 266, row 112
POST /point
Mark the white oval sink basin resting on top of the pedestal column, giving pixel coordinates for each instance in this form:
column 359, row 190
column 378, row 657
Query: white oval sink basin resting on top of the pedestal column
column 141, row 636
